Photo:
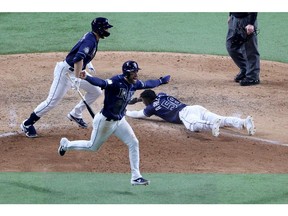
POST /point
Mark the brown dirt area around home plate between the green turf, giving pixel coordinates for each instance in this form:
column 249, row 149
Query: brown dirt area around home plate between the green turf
column 164, row 147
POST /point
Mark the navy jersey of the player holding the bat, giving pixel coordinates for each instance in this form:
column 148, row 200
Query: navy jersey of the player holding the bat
column 85, row 49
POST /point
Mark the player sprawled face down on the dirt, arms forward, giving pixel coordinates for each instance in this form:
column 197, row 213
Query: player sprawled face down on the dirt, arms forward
column 195, row 118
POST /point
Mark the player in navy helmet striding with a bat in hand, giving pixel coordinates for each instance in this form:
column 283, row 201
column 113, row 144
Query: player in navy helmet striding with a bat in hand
column 76, row 61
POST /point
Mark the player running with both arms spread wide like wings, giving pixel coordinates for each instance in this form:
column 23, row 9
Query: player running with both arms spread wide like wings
column 111, row 119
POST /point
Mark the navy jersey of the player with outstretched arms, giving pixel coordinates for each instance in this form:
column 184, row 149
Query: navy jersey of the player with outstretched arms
column 118, row 92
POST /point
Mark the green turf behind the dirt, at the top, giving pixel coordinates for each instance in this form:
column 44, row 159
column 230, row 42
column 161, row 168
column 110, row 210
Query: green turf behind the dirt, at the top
column 161, row 32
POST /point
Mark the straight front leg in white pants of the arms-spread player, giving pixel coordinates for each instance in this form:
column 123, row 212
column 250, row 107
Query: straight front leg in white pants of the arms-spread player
column 126, row 134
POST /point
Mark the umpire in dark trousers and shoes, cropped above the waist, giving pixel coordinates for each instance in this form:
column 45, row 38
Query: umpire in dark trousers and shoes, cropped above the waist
column 244, row 53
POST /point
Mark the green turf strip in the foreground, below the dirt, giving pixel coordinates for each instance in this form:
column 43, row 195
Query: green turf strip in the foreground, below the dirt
column 100, row 188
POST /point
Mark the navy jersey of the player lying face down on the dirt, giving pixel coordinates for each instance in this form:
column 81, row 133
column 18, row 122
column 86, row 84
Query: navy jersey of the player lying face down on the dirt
column 165, row 107
